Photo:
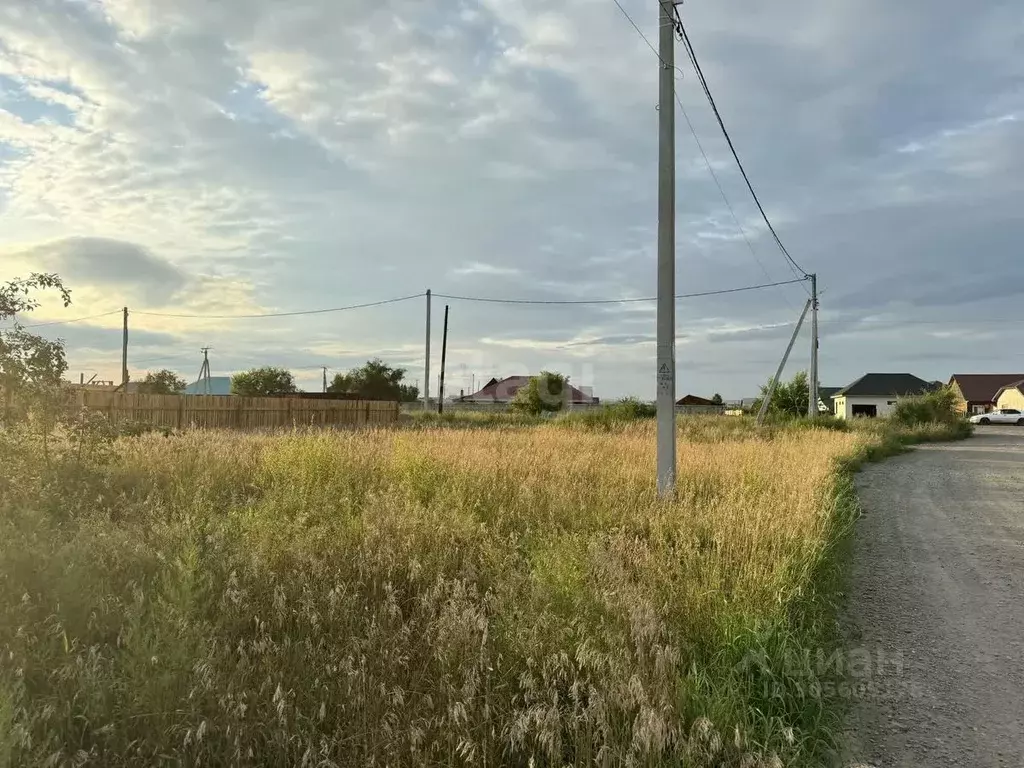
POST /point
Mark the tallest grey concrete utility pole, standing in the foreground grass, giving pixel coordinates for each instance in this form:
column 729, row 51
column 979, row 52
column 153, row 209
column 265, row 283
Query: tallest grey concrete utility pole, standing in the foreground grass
column 667, row 252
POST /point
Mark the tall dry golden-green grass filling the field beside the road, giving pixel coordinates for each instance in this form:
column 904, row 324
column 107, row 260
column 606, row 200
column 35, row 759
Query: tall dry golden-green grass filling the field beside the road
column 425, row 598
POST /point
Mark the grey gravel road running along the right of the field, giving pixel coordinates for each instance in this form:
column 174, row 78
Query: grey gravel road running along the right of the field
column 935, row 622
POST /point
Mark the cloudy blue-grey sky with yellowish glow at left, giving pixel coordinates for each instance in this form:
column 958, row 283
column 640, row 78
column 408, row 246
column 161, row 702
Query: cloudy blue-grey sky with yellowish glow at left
column 253, row 157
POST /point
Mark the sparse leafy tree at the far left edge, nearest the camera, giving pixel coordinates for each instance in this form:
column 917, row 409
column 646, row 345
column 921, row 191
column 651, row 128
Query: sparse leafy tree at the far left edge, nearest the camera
column 30, row 365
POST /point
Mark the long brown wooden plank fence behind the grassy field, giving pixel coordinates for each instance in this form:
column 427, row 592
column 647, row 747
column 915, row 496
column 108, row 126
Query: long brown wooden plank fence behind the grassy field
column 233, row 412
